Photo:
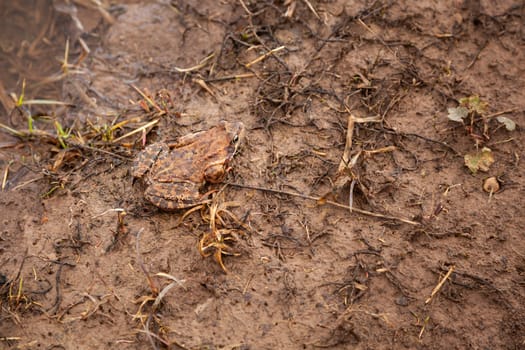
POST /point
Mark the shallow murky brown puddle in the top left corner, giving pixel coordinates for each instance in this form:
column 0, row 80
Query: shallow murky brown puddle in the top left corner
column 33, row 35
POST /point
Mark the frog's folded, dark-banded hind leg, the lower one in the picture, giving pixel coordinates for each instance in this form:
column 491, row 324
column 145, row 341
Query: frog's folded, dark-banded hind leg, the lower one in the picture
column 174, row 195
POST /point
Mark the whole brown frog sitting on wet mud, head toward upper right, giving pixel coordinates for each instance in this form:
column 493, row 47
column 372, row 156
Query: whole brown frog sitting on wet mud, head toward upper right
column 174, row 173
